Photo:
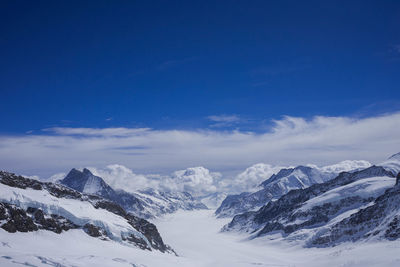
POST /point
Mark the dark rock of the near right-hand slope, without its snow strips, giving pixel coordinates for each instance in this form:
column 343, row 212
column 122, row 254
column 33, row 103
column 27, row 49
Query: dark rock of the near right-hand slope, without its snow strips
column 286, row 216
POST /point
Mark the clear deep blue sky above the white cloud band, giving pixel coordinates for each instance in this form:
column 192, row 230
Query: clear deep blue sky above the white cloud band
column 170, row 64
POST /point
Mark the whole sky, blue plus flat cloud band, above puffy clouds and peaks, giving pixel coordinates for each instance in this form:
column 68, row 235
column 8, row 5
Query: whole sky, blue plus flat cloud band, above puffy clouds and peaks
column 159, row 86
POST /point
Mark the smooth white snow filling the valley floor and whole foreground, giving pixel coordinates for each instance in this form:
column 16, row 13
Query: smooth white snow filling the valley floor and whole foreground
column 195, row 237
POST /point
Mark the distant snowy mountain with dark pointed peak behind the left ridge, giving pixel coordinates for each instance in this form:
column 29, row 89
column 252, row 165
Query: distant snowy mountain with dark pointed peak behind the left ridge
column 144, row 203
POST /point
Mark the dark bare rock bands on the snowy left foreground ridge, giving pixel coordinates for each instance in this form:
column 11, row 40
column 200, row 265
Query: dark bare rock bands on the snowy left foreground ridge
column 13, row 218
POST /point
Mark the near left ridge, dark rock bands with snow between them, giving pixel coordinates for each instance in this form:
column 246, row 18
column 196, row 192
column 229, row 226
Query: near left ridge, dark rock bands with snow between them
column 27, row 205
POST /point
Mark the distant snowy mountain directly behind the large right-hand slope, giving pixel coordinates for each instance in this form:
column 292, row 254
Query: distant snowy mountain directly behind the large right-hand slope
column 281, row 183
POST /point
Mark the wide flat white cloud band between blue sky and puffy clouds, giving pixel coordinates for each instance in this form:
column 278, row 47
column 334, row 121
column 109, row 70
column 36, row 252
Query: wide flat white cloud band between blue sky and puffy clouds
column 291, row 141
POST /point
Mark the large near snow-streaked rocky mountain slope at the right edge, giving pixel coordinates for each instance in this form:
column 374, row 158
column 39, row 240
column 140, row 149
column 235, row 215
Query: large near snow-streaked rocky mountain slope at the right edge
column 355, row 205
